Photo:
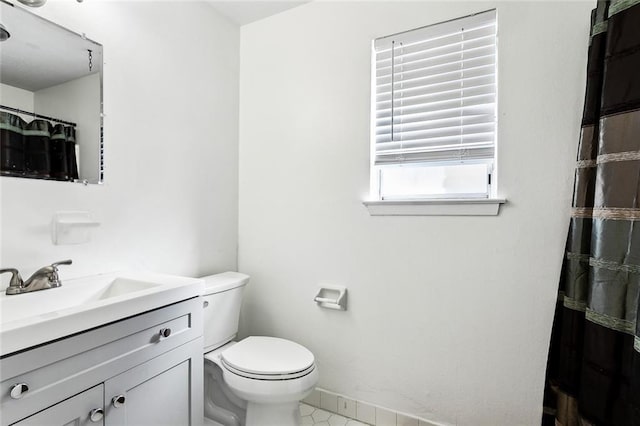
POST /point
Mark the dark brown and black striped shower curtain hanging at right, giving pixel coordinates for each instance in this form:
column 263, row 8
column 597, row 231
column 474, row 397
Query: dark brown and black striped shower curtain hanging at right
column 593, row 370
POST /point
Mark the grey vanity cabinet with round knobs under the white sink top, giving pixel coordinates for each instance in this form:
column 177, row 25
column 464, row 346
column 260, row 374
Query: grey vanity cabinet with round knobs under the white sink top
column 143, row 370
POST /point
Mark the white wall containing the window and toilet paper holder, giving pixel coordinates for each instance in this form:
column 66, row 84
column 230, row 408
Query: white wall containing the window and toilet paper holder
column 449, row 317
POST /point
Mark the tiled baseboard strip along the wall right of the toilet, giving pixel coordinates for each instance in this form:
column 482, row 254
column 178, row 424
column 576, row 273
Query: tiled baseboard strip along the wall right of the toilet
column 362, row 411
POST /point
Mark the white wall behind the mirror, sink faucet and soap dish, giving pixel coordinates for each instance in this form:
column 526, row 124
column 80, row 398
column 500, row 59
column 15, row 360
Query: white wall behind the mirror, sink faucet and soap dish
column 169, row 201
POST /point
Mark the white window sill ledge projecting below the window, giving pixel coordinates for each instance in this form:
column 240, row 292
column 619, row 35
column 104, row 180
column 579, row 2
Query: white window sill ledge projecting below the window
column 442, row 207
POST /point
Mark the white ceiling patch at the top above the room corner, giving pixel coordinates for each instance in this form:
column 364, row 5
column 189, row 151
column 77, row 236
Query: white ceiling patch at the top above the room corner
column 244, row 12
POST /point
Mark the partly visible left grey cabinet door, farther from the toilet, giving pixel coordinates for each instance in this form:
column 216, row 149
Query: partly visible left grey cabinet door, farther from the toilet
column 75, row 411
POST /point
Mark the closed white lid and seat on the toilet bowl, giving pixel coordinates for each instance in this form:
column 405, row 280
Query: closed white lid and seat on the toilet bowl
column 268, row 358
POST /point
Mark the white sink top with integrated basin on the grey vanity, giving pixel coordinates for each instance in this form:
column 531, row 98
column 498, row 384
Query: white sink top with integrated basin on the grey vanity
column 80, row 304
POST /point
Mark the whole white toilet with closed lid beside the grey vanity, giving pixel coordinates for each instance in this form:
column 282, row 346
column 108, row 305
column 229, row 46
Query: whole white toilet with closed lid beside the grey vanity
column 258, row 381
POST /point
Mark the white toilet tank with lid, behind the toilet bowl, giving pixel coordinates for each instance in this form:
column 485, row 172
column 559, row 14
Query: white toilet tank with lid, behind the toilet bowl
column 222, row 299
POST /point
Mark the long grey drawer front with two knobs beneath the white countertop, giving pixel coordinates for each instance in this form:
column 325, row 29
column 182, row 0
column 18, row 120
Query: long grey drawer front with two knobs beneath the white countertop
column 63, row 368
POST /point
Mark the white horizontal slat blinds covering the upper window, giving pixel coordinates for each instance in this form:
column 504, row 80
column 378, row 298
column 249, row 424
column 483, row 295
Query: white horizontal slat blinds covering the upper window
column 435, row 93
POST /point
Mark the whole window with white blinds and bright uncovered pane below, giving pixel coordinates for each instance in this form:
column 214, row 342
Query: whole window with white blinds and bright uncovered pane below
column 434, row 111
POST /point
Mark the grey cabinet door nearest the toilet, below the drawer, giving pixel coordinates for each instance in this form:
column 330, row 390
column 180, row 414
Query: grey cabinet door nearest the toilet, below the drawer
column 166, row 390
